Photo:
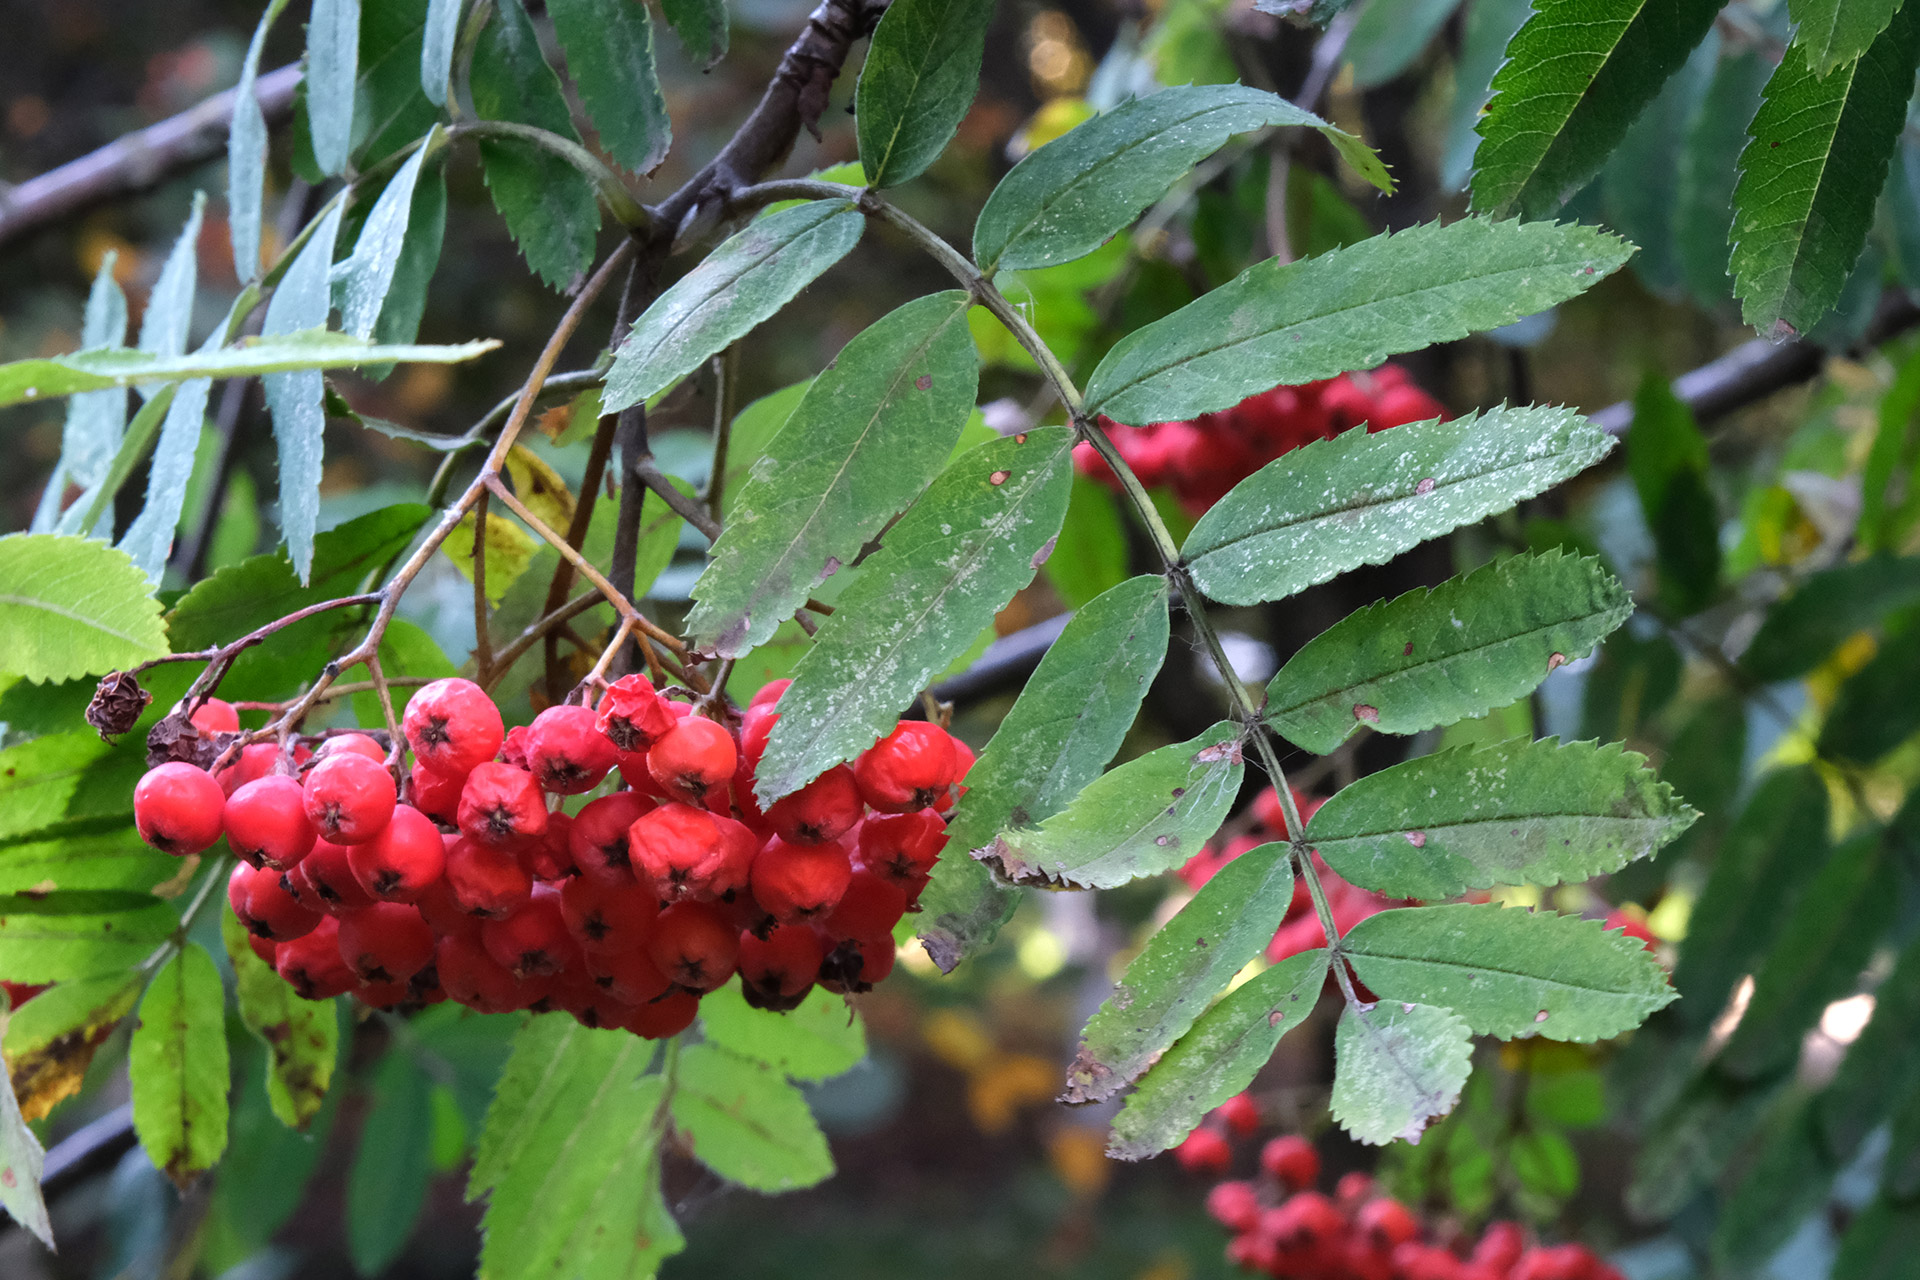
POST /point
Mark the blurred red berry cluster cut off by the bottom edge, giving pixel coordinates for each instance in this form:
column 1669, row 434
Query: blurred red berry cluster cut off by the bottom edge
column 1285, row 1229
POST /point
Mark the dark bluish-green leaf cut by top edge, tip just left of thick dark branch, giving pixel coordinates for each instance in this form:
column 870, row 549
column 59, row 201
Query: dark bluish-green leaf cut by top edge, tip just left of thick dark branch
column 610, row 55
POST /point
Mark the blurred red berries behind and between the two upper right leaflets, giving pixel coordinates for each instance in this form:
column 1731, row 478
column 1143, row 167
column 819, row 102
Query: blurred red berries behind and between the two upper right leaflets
column 1216, row 452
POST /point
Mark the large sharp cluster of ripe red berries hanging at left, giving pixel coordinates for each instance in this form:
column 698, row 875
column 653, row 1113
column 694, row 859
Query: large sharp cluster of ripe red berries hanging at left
column 477, row 888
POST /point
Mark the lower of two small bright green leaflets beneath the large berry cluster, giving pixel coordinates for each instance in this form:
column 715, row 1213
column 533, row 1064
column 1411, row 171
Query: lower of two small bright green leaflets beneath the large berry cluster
column 746, row 1124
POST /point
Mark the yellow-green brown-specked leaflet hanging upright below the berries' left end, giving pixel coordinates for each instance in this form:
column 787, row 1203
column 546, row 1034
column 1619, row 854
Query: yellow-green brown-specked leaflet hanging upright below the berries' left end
column 178, row 1062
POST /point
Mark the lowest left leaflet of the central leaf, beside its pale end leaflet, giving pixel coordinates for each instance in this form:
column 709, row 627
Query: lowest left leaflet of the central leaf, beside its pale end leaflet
column 1218, row 1058
